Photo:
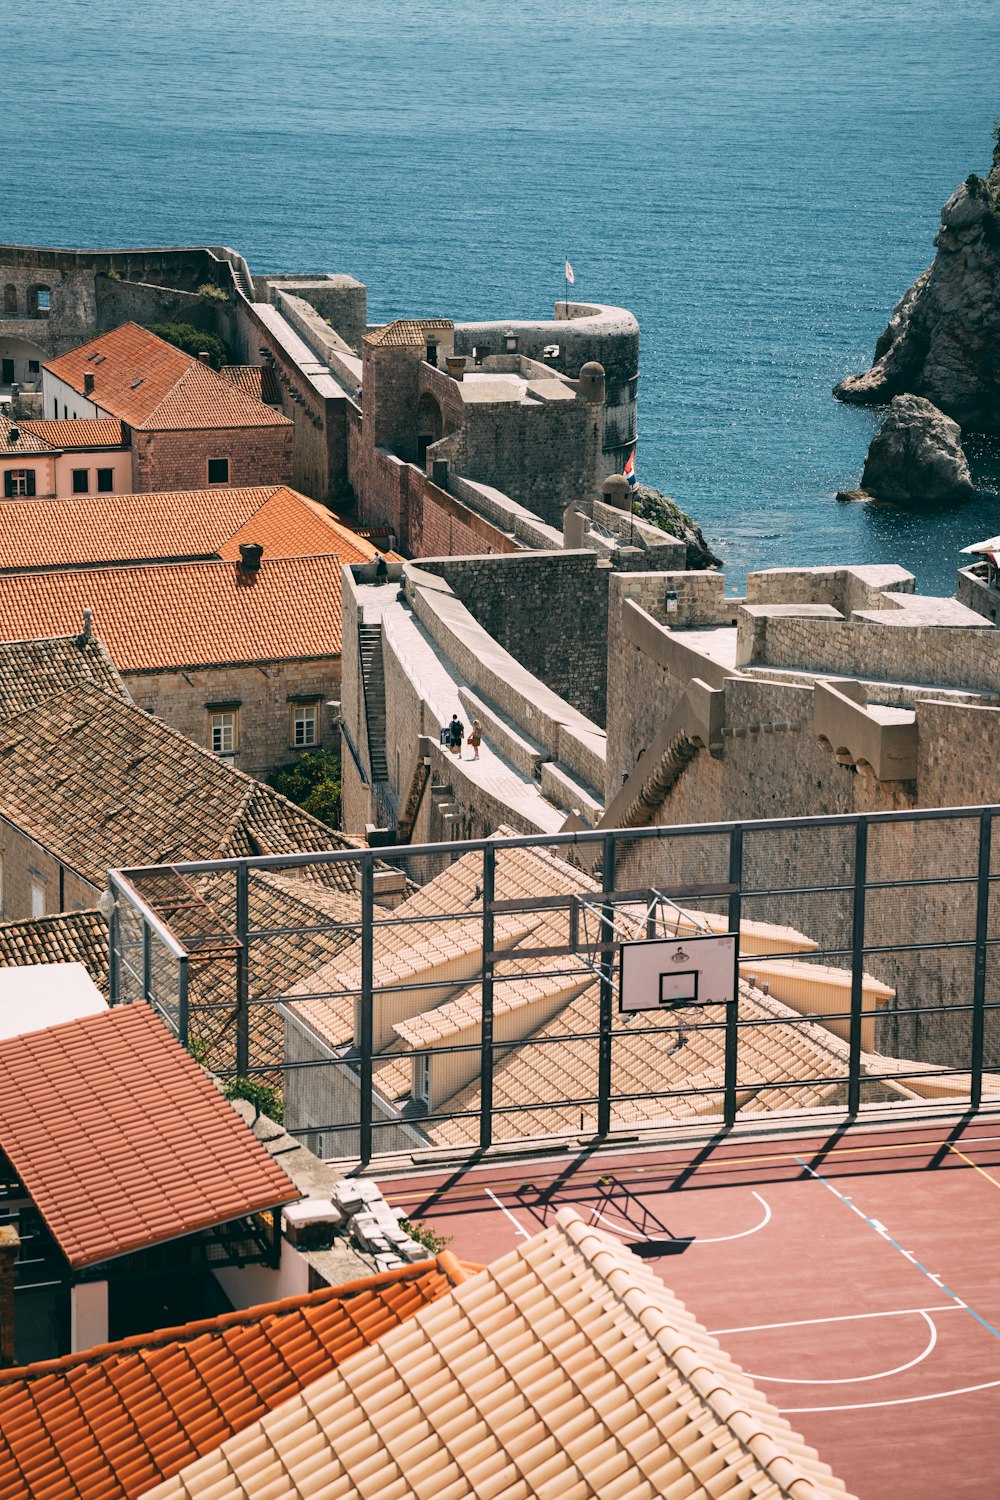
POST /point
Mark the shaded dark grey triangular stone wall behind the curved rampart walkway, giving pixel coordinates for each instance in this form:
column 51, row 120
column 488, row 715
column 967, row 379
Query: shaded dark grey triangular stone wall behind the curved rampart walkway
column 518, row 604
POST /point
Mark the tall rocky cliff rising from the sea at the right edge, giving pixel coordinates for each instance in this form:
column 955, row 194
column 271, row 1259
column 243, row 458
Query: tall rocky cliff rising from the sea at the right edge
column 944, row 337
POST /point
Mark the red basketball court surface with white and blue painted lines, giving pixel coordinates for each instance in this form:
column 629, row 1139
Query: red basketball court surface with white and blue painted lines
column 855, row 1276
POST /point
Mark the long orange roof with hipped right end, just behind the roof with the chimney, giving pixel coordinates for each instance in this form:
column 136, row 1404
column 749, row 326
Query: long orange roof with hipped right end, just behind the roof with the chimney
column 170, row 527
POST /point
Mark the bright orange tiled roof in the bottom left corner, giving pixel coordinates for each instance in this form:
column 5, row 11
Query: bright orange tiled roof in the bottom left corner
column 109, row 1423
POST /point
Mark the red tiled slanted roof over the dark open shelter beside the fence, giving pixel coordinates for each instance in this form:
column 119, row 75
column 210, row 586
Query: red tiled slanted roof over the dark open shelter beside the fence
column 122, row 1141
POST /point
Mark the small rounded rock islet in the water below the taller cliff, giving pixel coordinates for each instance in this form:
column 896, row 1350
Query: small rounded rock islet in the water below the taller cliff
column 917, row 457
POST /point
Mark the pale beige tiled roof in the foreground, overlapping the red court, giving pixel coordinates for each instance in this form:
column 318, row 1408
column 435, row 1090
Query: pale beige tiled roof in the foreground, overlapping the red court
column 566, row 1369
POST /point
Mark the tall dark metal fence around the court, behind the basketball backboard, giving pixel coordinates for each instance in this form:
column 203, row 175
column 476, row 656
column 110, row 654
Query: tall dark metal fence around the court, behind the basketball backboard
column 463, row 997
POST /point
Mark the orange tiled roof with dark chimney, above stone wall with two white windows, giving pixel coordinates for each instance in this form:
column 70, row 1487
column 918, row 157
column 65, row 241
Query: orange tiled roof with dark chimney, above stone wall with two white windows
column 187, row 614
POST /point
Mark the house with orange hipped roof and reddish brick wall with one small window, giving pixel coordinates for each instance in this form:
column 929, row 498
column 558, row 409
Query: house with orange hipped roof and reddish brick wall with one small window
column 187, row 427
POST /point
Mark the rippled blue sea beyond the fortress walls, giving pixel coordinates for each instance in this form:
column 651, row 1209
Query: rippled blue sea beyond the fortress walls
column 759, row 181
